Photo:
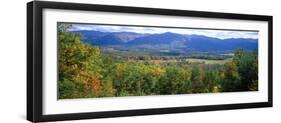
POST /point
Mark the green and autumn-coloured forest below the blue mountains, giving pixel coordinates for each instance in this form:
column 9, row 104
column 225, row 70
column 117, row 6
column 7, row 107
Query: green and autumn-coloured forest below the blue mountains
column 86, row 72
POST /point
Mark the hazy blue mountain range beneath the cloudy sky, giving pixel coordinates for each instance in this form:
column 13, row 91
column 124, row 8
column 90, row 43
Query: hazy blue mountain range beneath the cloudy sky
column 167, row 42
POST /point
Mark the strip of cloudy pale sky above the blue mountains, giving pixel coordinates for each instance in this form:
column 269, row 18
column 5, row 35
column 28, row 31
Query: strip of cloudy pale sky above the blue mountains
column 222, row 34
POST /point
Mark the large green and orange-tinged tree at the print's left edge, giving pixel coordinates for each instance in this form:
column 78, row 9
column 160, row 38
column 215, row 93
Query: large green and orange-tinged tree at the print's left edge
column 79, row 64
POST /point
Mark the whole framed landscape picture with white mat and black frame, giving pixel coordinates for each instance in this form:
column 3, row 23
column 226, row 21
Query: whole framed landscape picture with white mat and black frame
column 89, row 61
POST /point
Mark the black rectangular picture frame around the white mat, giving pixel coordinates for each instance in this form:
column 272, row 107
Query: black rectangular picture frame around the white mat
column 35, row 69
